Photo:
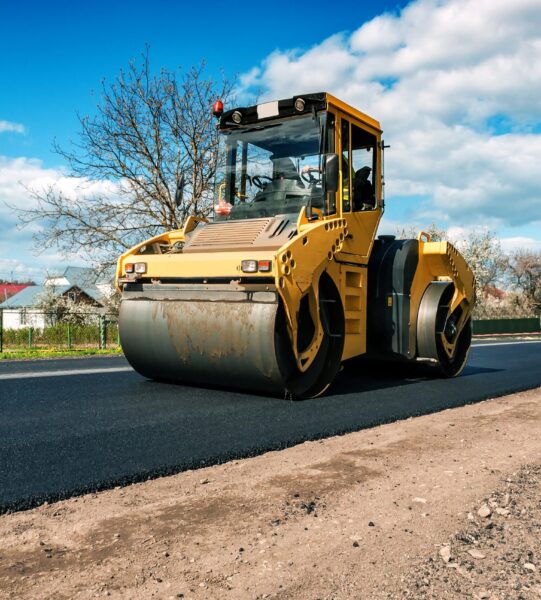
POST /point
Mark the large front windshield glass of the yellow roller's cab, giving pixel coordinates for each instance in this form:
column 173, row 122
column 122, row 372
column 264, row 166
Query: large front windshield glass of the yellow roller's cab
column 271, row 169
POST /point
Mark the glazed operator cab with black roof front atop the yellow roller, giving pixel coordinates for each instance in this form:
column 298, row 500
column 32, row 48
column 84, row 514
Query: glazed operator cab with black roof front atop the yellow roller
column 279, row 157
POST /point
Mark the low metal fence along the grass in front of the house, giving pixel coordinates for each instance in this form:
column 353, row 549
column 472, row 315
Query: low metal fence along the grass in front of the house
column 33, row 330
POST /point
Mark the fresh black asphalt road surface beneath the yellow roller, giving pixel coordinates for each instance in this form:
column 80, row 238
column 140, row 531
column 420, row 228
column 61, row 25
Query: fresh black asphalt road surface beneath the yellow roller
column 71, row 426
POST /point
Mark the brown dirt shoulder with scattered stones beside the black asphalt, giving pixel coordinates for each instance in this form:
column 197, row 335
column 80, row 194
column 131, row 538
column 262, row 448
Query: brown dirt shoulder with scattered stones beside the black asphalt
column 440, row 506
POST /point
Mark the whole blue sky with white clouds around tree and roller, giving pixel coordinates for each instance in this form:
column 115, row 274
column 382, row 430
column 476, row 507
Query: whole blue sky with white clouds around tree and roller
column 455, row 84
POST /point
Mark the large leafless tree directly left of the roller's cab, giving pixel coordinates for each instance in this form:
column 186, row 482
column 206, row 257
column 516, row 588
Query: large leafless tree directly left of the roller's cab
column 150, row 134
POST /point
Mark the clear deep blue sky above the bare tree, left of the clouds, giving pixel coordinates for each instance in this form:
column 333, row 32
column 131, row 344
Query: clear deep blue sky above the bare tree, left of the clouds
column 54, row 55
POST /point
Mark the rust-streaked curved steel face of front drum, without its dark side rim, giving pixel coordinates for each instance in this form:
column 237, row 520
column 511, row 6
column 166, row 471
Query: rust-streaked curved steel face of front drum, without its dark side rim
column 203, row 342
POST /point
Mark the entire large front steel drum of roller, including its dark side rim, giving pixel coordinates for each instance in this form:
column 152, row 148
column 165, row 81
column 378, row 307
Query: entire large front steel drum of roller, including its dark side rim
column 222, row 336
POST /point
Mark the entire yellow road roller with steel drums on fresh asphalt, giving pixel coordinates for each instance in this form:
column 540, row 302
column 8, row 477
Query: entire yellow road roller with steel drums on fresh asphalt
column 287, row 280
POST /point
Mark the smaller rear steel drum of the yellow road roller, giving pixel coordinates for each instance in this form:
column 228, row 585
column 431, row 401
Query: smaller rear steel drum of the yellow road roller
column 443, row 336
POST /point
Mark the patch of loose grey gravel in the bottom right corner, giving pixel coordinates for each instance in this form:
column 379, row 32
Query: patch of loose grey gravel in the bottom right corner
column 497, row 553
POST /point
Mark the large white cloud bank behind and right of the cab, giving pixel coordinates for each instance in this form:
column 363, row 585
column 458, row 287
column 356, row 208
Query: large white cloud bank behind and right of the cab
column 440, row 76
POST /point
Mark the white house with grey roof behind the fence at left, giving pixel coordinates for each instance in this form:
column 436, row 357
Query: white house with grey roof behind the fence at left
column 80, row 285
